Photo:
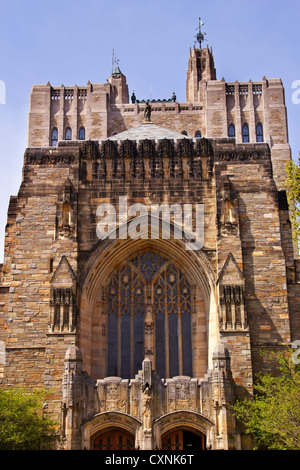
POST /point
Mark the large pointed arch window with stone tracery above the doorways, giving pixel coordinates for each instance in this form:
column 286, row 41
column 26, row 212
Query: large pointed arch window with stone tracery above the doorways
column 148, row 283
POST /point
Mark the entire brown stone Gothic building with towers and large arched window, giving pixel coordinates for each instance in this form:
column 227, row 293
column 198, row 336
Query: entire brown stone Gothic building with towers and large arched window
column 149, row 259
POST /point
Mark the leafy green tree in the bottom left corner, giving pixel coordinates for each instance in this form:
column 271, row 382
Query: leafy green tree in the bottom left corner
column 23, row 424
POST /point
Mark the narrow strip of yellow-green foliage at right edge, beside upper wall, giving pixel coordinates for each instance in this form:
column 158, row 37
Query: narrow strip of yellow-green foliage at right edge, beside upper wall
column 293, row 195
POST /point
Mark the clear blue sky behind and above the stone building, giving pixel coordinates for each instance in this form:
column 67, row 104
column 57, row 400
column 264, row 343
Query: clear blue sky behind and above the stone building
column 72, row 42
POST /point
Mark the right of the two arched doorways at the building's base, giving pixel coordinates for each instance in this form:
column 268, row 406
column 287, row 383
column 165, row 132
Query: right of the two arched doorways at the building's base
column 184, row 439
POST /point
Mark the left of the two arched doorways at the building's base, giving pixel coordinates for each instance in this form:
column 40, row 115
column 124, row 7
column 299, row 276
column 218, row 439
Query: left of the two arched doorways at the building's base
column 114, row 439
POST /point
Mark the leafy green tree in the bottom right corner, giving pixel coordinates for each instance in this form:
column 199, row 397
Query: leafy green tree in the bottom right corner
column 272, row 418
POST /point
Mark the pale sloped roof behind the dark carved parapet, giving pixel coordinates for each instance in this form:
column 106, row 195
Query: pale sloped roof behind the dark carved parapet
column 149, row 131
